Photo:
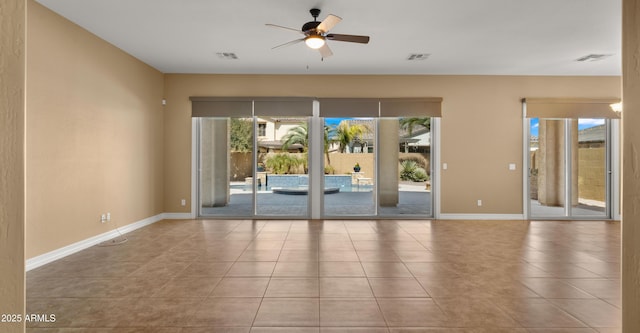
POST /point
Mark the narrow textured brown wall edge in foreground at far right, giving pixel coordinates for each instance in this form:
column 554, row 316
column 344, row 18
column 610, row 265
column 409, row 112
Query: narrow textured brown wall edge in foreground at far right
column 630, row 172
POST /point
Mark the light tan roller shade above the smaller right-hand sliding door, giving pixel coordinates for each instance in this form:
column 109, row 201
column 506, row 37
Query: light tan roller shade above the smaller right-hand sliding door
column 570, row 108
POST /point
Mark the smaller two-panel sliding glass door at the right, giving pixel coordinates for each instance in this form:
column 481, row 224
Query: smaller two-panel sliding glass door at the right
column 570, row 168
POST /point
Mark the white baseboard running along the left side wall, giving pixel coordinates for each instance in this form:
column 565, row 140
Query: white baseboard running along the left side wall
column 62, row 252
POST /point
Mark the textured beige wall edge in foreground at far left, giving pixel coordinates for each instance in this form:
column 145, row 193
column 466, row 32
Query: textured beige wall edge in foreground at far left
column 12, row 79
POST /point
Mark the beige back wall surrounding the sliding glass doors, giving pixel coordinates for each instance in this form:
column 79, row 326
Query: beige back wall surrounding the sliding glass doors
column 480, row 114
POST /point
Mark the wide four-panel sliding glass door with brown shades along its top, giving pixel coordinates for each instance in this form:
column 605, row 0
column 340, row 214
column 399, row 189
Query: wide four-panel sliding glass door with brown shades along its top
column 301, row 158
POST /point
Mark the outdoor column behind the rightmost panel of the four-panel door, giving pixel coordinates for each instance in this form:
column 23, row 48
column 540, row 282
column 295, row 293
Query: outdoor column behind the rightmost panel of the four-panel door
column 388, row 154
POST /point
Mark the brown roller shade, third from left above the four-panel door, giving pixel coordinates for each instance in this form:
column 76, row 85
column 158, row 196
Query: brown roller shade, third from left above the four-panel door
column 349, row 107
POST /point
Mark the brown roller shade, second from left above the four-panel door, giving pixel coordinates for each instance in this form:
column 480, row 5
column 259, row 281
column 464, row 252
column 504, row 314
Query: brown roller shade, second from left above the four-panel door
column 289, row 106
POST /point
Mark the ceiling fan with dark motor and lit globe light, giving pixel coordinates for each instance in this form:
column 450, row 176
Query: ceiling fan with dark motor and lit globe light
column 317, row 33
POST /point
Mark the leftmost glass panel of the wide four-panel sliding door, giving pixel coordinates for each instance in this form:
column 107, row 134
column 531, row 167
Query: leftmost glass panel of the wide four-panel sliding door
column 226, row 168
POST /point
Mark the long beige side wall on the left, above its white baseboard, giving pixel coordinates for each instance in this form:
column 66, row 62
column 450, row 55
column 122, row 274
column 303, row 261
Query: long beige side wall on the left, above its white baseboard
column 94, row 134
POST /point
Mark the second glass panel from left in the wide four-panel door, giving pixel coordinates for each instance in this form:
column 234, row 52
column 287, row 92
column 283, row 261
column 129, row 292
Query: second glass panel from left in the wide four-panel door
column 282, row 176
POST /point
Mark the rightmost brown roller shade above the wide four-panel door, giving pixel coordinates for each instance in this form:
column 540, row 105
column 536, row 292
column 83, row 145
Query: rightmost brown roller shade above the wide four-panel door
column 412, row 107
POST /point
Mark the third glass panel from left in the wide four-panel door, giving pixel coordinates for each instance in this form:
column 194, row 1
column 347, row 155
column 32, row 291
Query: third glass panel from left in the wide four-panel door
column 350, row 168
